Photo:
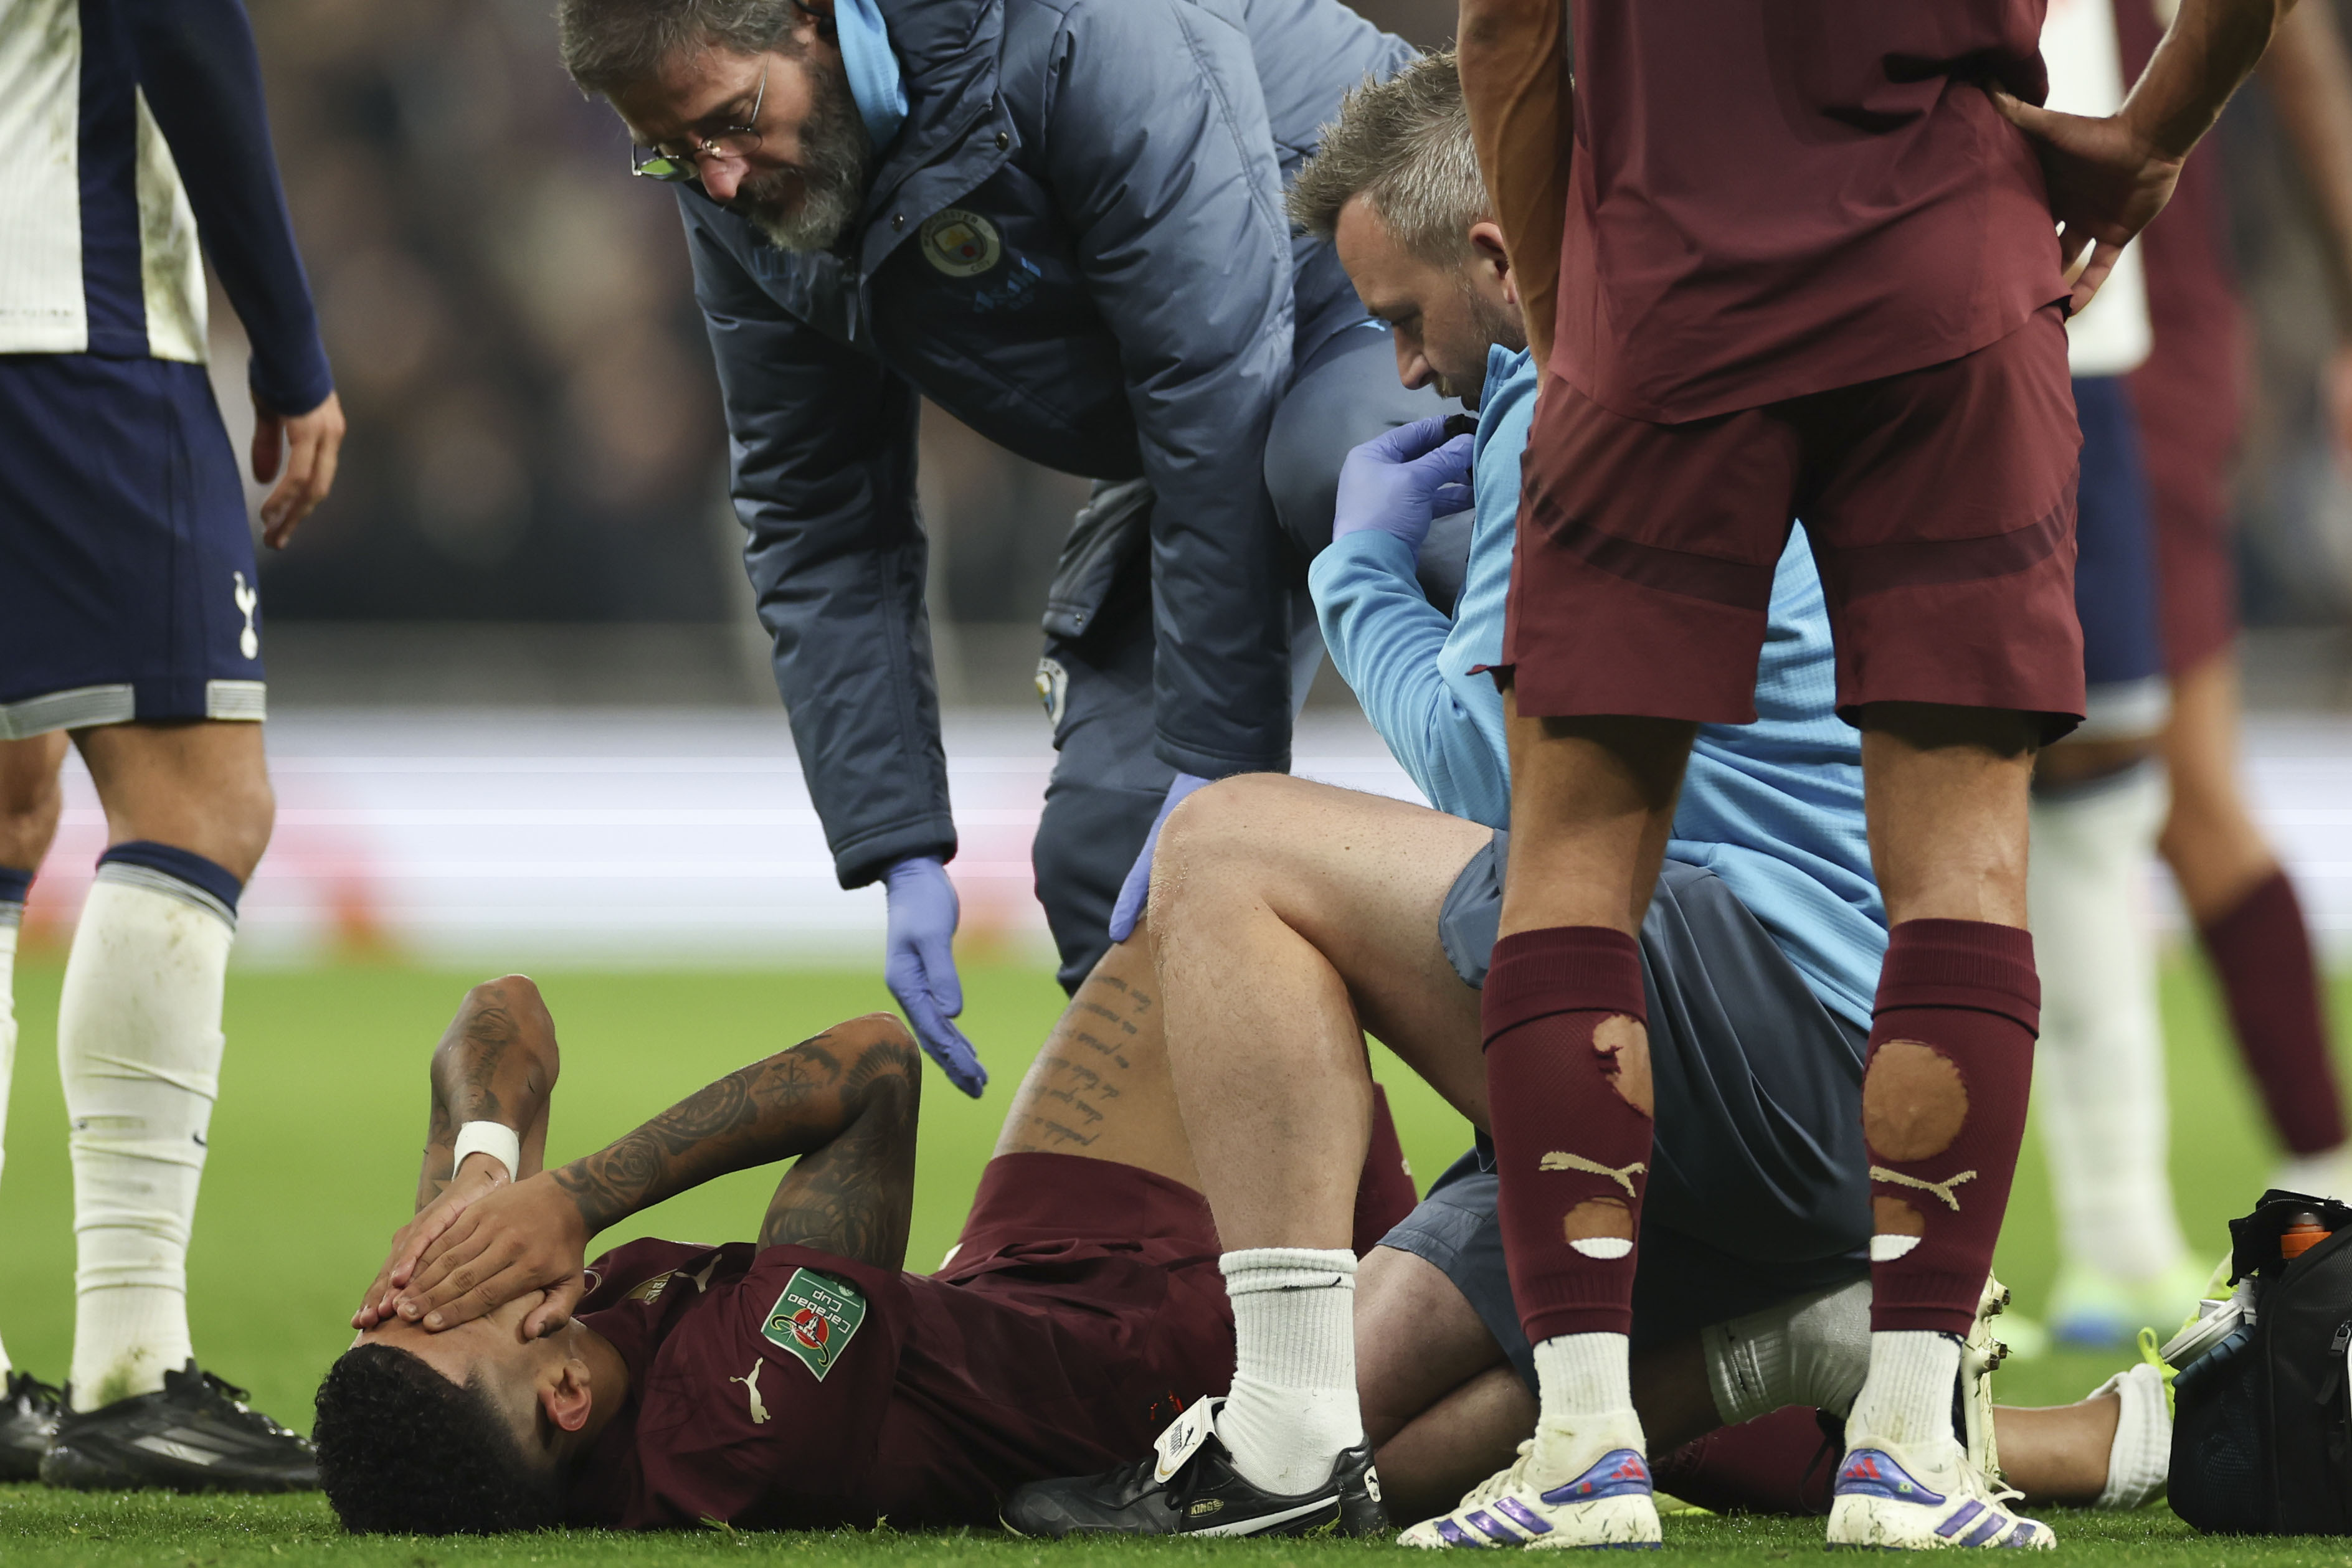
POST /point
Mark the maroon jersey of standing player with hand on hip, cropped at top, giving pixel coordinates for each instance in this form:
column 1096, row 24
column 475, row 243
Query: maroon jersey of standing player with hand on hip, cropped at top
column 1784, row 199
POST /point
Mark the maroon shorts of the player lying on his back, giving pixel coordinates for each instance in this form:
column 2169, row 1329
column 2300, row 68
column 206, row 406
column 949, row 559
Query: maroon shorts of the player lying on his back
column 1125, row 1264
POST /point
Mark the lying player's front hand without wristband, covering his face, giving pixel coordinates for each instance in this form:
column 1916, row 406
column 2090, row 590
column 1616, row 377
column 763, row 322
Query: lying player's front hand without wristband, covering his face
column 512, row 1242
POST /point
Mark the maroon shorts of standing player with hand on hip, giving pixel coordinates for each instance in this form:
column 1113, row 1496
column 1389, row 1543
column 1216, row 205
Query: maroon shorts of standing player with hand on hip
column 1939, row 507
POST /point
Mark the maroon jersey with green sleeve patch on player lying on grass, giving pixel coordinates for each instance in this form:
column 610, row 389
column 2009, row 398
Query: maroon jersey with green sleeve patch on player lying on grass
column 789, row 1388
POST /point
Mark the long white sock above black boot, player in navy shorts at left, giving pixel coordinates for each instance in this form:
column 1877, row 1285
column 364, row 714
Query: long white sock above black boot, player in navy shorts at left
column 140, row 1052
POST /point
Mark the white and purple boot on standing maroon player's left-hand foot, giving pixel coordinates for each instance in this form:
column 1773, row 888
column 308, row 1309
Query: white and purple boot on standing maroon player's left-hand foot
column 1568, row 1489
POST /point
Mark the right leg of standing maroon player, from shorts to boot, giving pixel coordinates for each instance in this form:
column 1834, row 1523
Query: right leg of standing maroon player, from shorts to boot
column 1946, row 535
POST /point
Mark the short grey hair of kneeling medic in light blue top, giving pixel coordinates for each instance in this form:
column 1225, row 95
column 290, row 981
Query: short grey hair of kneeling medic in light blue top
column 1405, row 147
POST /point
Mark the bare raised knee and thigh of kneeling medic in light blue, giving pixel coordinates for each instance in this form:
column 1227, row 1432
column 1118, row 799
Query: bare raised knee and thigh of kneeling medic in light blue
column 1363, row 880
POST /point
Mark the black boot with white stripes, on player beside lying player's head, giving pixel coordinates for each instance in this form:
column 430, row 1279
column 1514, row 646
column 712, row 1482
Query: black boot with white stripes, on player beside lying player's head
column 196, row 1435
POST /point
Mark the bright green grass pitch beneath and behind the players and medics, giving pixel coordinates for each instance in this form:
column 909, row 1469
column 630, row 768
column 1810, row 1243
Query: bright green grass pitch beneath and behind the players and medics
column 314, row 1160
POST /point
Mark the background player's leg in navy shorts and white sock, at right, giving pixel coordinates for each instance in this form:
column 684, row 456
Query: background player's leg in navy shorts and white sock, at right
column 2099, row 798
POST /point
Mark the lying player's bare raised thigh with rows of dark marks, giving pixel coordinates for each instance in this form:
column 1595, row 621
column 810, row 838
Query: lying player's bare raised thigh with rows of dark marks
column 1102, row 1085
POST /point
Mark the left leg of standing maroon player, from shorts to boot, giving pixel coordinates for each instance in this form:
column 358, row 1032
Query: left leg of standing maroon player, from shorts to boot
column 1638, row 605
